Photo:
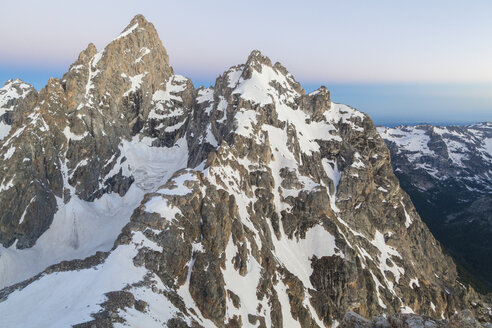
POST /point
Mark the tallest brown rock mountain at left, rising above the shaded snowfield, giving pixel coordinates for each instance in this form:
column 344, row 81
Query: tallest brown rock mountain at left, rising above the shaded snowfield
column 67, row 140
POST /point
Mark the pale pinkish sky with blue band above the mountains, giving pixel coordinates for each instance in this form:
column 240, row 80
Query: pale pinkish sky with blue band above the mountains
column 400, row 61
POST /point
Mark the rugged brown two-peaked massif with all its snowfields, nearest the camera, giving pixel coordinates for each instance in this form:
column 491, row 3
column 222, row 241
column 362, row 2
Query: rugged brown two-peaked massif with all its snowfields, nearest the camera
column 130, row 198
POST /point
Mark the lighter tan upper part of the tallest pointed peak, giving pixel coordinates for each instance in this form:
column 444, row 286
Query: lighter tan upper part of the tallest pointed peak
column 134, row 58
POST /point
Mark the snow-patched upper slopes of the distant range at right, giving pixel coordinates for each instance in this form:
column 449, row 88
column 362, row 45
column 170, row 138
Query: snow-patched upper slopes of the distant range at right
column 462, row 154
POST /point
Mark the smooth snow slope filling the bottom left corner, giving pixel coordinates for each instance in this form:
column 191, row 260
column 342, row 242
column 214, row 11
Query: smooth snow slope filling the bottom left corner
column 73, row 295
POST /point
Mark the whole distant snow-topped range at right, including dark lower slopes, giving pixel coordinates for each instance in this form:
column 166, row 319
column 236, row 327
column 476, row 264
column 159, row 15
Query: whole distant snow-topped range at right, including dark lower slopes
column 447, row 171
